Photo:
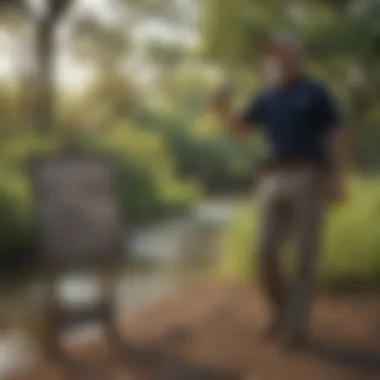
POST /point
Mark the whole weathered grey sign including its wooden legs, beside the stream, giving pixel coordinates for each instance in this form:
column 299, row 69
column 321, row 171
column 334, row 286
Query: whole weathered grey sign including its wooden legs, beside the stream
column 79, row 224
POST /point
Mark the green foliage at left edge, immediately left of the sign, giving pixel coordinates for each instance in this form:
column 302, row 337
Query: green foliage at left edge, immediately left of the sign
column 18, row 231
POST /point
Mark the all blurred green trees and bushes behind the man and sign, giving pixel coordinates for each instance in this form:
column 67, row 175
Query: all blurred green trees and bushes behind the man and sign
column 133, row 78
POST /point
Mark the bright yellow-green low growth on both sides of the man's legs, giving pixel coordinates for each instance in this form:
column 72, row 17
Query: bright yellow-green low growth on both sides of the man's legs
column 351, row 250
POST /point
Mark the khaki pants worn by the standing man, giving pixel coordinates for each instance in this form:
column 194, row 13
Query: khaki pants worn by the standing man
column 290, row 206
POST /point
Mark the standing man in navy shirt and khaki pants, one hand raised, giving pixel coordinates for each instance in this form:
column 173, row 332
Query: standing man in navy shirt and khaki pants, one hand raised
column 305, row 168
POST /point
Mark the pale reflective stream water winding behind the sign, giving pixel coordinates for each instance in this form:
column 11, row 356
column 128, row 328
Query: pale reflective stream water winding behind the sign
column 168, row 244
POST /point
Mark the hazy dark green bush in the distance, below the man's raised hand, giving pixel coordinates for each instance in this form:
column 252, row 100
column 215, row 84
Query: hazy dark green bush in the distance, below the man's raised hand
column 200, row 150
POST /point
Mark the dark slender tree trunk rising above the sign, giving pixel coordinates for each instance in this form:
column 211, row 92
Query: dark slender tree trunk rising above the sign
column 44, row 118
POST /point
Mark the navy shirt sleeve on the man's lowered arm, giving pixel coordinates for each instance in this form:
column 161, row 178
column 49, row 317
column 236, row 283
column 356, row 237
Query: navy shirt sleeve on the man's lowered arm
column 327, row 111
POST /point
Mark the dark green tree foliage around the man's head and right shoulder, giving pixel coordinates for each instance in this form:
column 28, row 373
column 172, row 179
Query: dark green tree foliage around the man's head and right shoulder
column 342, row 39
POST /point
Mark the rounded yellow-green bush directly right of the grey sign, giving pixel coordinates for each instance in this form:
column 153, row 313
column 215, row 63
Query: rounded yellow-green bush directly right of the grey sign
column 148, row 185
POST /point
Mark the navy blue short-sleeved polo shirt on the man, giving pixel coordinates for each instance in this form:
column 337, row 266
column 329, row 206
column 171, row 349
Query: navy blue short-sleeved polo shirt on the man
column 297, row 120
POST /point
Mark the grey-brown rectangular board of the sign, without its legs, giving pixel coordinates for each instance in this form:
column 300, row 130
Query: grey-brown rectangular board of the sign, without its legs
column 77, row 208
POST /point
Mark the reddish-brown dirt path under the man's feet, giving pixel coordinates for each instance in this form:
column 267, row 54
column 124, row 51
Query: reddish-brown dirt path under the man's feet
column 217, row 329
